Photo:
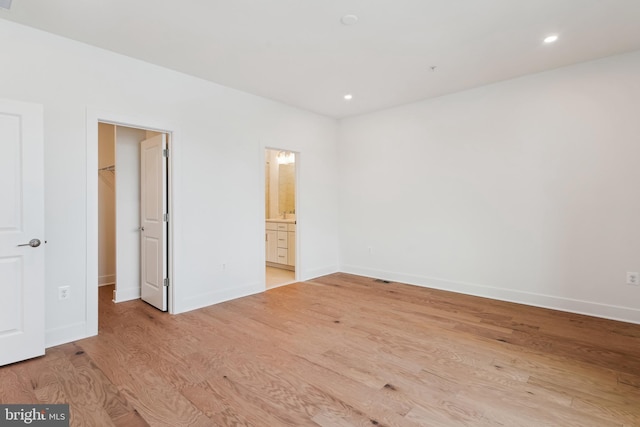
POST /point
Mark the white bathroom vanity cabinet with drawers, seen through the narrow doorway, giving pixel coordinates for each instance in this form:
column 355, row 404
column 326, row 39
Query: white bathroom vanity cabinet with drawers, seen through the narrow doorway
column 280, row 244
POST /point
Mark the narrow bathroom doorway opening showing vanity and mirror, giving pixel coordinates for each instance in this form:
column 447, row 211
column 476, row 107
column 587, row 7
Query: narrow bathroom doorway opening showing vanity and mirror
column 280, row 217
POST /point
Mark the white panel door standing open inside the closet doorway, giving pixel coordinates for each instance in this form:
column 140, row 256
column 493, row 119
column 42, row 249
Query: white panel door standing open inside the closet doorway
column 153, row 223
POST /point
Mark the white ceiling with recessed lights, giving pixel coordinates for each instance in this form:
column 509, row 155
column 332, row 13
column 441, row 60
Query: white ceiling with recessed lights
column 298, row 52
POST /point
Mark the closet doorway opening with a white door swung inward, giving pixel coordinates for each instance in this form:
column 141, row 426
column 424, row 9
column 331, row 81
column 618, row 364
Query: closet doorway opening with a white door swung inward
column 133, row 215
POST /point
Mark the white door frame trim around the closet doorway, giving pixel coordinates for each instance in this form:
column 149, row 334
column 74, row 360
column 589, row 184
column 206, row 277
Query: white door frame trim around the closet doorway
column 135, row 121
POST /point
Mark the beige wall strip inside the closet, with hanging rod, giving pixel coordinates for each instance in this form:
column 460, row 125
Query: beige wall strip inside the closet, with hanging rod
column 106, row 206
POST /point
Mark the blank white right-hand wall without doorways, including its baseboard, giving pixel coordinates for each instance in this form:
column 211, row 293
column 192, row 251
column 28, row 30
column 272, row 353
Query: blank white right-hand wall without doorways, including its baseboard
column 526, row 190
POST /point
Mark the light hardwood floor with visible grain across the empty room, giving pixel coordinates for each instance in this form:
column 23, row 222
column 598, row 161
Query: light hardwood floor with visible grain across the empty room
column 341, row 350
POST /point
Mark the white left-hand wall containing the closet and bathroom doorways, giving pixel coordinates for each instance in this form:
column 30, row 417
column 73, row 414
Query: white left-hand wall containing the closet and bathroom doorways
column 220, row 173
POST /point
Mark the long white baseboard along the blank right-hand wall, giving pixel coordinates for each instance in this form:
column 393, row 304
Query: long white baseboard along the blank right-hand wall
column 606, row 311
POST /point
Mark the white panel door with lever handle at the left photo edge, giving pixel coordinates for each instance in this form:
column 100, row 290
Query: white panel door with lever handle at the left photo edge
column 21, row 232
